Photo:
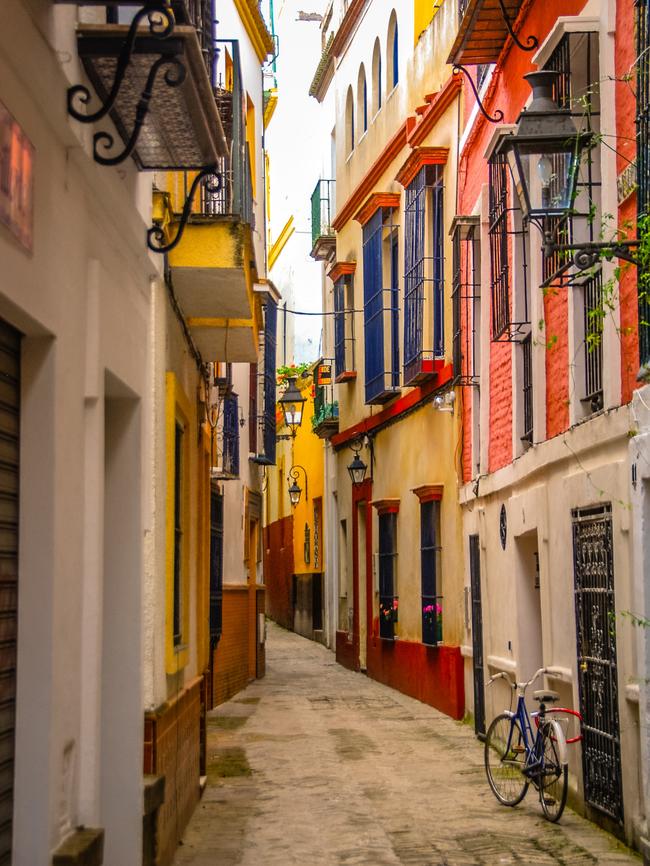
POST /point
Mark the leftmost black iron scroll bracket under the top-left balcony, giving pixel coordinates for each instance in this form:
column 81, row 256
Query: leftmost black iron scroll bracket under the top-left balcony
column 161, row 26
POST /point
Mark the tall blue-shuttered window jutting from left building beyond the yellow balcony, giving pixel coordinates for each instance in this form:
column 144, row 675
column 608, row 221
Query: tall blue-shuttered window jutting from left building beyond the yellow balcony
column 264, row 427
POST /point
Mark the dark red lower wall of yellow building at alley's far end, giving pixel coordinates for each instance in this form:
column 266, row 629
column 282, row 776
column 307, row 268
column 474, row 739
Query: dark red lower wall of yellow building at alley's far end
column 278, row 570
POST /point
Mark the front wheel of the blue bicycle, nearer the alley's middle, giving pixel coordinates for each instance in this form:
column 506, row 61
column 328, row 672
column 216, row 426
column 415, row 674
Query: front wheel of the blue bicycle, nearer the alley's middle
column 505, row 755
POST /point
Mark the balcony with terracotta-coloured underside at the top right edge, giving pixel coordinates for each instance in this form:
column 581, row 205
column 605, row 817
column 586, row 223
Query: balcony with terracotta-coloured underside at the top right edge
column 484, row 28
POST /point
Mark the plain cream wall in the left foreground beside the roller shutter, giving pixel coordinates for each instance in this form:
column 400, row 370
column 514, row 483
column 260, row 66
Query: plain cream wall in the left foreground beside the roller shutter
column 82, row 300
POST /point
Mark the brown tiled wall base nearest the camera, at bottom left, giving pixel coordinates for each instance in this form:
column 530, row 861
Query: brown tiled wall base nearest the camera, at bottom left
column 172, row 749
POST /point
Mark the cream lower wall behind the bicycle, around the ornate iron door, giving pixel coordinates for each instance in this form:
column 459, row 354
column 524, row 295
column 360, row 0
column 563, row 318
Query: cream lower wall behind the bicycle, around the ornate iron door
column 586, row 466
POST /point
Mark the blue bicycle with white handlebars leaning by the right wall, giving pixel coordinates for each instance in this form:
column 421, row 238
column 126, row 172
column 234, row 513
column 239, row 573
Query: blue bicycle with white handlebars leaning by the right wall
column 514, row 757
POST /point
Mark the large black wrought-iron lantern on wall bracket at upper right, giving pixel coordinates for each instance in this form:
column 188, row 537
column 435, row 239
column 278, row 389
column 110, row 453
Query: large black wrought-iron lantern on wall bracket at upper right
column 544, row 155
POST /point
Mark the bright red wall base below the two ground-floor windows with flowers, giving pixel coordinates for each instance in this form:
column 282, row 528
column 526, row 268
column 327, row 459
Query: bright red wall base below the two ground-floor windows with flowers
column 433, row 675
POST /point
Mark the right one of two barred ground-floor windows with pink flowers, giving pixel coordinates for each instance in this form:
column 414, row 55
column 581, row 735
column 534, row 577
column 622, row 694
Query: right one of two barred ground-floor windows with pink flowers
column 430, row 556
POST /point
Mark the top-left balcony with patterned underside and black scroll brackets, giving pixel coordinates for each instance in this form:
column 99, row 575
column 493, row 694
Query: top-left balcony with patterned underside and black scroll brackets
column 152, row 75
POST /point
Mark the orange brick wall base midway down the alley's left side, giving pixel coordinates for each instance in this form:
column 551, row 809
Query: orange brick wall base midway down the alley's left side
column 231, row 665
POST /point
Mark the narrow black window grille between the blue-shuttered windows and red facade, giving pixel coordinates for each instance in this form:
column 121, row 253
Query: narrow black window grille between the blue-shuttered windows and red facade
column 466, row 299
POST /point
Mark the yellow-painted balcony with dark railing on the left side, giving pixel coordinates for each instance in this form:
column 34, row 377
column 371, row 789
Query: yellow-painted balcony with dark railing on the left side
column 213, row 270
